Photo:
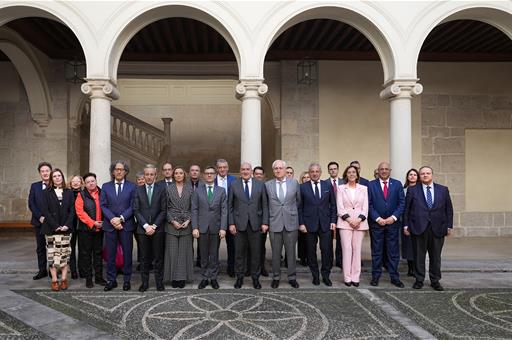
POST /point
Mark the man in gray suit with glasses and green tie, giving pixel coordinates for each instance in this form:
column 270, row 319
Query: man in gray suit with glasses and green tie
column 209, row 222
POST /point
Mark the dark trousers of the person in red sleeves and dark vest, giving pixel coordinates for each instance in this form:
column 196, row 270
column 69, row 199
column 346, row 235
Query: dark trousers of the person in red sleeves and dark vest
column 90, row 246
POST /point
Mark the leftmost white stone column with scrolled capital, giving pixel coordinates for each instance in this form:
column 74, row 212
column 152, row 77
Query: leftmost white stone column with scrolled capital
column 101, row 93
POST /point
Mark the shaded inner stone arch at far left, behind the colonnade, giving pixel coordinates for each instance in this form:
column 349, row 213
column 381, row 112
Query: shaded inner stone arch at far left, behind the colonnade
column 31, row 73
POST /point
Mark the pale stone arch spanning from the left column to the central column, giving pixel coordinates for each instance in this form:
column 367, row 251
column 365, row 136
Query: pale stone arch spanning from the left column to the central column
column 148, row 15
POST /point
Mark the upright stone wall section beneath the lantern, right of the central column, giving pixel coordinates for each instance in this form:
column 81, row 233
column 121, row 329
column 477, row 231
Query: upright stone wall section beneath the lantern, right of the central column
column 299, row 119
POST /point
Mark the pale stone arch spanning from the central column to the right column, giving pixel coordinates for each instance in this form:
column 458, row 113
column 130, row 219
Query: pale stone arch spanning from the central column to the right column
column 364, row 19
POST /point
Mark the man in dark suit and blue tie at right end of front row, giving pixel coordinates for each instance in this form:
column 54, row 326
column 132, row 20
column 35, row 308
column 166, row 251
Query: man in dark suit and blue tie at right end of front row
column 428, row 218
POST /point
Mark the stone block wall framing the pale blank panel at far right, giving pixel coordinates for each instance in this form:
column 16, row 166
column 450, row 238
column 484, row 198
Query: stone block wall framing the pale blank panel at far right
column 444, row 121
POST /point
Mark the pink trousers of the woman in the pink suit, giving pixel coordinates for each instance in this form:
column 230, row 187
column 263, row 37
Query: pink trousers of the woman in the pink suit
column 351, row 244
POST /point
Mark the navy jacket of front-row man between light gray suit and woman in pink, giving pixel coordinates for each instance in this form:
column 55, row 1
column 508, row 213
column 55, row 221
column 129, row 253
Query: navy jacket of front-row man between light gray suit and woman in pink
column 317, row 213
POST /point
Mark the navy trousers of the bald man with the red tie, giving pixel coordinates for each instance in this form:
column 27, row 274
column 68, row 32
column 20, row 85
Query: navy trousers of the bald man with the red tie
column 385, row 247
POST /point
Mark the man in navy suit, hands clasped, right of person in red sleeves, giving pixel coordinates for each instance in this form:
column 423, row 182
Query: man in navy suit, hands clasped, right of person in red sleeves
column 118, row 223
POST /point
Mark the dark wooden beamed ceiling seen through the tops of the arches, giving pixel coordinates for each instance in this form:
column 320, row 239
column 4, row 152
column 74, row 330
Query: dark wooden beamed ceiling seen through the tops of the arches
column 181, row 39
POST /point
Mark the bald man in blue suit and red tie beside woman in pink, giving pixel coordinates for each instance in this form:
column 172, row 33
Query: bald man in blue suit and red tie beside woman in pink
column 386, row 204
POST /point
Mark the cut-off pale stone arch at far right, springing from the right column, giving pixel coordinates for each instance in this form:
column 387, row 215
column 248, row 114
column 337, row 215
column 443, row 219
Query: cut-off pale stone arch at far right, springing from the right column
column 497, row 15
